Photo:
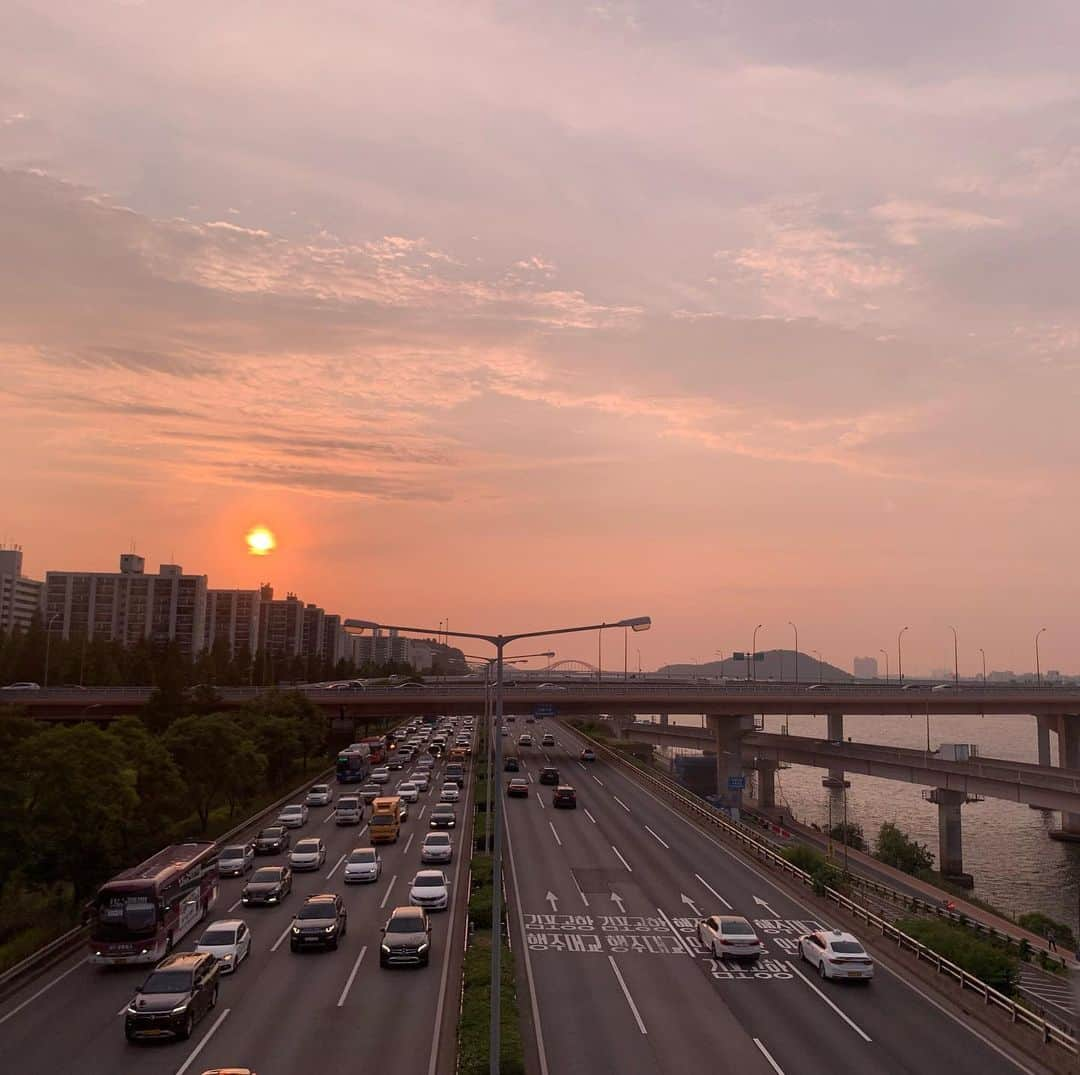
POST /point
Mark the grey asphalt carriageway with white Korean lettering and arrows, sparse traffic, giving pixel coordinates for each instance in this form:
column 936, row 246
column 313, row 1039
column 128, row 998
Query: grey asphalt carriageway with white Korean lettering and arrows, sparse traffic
column 604, row 905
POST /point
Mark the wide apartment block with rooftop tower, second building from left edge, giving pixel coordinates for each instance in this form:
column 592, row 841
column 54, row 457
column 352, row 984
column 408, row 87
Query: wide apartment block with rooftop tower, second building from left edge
column 129, row 606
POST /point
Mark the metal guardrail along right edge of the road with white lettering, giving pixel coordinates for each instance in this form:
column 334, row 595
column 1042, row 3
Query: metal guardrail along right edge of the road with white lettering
column 1019, row 1014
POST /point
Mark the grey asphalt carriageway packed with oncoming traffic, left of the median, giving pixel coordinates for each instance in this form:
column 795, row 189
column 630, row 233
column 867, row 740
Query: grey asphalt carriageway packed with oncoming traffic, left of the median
column 281, row 1013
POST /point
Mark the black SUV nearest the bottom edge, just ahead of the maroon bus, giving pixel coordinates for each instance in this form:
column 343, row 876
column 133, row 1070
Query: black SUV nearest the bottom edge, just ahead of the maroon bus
column 178, row 993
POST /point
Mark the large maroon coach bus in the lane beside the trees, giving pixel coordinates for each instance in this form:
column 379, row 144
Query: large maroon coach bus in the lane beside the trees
column 143, row 912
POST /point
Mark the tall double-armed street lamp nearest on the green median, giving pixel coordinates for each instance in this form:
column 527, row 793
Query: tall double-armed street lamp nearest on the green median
column 501, row 642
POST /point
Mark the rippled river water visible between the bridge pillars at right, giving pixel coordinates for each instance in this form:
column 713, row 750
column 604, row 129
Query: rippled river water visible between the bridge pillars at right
column 1016, row 865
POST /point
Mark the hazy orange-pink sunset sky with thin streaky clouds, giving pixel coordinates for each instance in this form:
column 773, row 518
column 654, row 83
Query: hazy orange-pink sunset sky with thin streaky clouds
column 526, row 316
